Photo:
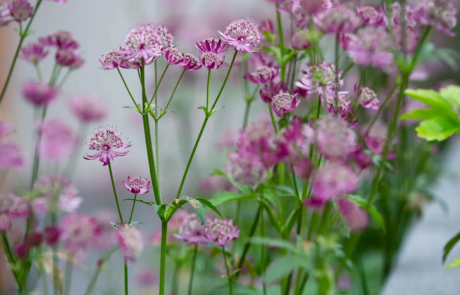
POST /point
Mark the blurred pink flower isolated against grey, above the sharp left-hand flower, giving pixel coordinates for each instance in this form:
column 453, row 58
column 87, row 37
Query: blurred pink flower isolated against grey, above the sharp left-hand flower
column 88, row 109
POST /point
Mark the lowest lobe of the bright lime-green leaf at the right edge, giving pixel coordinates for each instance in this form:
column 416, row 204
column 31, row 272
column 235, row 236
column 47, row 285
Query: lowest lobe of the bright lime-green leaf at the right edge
column 439, row 128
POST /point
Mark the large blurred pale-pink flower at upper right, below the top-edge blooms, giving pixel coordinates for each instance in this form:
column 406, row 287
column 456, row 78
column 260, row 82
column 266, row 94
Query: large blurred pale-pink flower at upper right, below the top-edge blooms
column 372, row 46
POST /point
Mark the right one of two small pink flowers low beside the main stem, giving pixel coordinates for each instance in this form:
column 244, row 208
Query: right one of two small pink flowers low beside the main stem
column 221, row 231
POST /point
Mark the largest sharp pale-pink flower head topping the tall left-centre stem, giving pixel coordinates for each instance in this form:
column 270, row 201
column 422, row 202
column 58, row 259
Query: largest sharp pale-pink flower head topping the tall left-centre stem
column 147, row 43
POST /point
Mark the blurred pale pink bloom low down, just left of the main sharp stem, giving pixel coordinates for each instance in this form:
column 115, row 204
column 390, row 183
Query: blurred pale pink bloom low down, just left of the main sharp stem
column 131, row 241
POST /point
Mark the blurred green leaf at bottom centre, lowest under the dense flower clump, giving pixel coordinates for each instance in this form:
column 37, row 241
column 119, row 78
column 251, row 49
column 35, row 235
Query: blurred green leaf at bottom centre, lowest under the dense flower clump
column 284, row 265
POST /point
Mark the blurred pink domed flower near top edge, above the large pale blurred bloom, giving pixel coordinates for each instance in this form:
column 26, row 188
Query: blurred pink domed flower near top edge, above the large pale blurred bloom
column 337, row 20
